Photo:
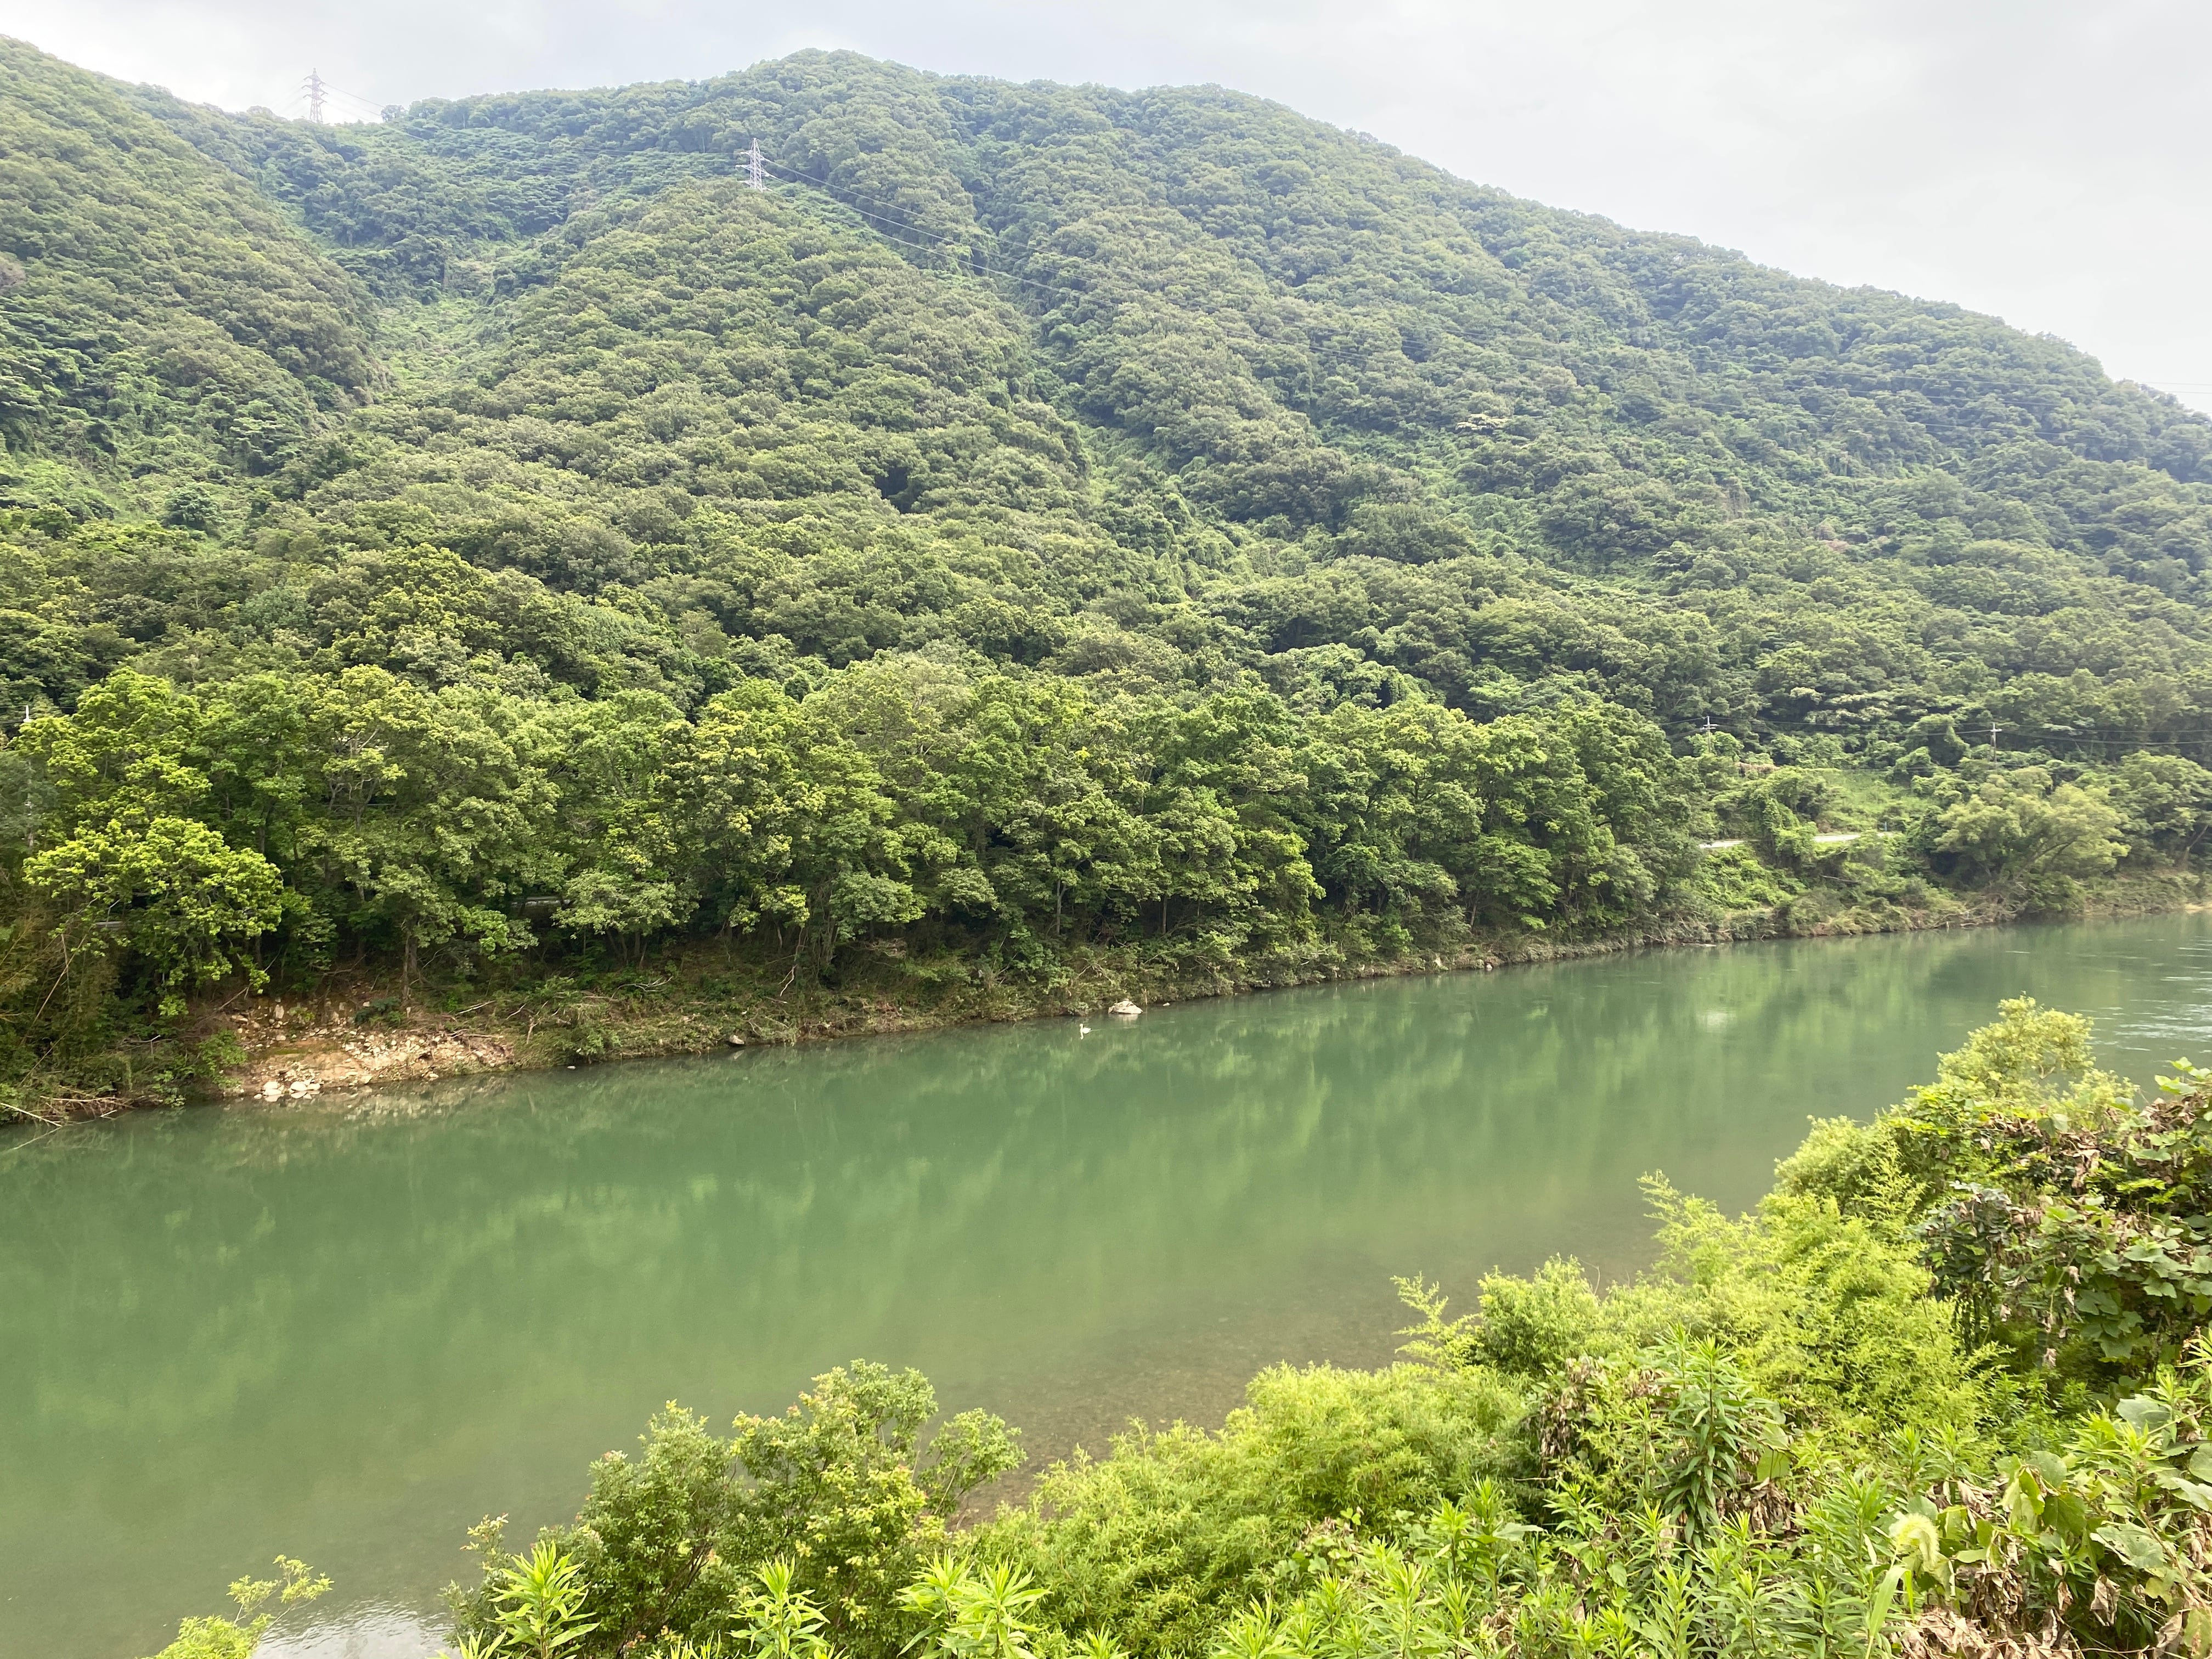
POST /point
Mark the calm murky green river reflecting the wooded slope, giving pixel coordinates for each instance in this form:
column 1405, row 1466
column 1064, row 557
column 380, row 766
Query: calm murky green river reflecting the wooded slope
column 346, row 1331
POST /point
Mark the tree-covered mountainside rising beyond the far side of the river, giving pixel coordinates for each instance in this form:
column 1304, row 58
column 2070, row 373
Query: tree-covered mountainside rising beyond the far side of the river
column 1045, row 525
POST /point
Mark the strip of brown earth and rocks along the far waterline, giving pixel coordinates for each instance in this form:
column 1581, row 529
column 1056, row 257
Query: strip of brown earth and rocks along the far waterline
column 359, row 1032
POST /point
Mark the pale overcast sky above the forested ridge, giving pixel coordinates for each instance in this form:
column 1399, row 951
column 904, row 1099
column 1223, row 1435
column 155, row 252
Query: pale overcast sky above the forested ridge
column 2045, row 163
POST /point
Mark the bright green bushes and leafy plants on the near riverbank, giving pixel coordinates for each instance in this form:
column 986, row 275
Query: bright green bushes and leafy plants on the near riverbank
column 1945, row 1392
